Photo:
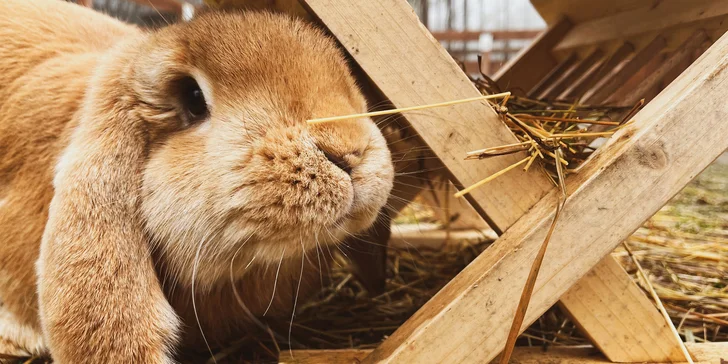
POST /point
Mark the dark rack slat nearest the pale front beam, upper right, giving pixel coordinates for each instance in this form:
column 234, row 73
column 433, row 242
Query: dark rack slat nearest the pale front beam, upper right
column 684, row 52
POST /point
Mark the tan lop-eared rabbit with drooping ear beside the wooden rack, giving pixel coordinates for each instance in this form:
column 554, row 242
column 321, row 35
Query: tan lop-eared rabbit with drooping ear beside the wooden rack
column 159, row 188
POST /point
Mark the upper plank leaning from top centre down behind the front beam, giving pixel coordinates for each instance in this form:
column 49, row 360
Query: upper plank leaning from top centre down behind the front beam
column 424, row 73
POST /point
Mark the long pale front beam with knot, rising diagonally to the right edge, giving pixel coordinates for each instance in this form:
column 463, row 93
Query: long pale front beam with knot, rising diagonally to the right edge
column 650, row 161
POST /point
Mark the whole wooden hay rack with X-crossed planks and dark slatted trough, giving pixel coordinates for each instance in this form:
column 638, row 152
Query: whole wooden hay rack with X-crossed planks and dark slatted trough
column 597, row 52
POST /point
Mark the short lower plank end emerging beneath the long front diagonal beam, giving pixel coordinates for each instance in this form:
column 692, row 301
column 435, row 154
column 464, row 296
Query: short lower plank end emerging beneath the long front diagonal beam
column 651, row 337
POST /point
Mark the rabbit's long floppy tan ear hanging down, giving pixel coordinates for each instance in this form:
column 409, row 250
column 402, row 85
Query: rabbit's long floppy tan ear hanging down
column 100, row 298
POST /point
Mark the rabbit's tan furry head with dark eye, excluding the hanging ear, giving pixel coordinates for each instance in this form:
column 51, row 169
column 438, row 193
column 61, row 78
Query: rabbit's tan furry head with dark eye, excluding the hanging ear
column 230, row 167
